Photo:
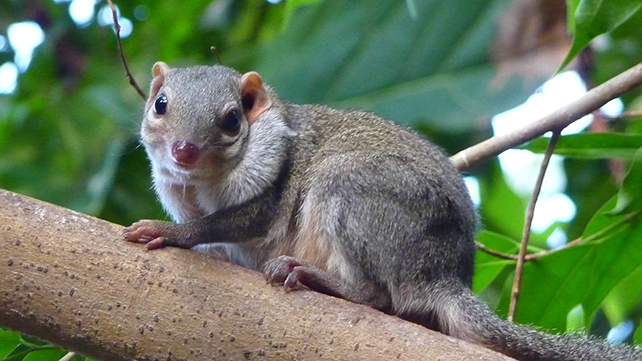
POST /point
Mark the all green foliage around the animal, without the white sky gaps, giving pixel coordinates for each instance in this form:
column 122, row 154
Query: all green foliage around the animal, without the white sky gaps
column 68, row 134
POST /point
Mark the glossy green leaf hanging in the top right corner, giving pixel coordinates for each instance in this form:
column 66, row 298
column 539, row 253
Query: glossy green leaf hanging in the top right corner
column 590, row 18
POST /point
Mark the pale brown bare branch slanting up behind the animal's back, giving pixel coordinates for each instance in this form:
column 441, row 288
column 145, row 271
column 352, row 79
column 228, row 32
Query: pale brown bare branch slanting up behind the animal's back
column 558, row 119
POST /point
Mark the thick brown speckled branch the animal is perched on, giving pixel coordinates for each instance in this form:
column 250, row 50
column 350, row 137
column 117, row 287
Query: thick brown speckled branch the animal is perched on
column 70, row 279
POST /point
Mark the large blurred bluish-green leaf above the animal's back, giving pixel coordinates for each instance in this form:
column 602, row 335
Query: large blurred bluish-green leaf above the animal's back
column 434, row 67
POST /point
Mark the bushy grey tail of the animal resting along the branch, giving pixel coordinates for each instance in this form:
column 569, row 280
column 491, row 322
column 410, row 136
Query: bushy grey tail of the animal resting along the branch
column 461, row 314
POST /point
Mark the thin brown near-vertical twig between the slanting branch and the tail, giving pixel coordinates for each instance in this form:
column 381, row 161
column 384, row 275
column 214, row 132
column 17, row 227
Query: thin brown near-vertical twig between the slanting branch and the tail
column 530, row 212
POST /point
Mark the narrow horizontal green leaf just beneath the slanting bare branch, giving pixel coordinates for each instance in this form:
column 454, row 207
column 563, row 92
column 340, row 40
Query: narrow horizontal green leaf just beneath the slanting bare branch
column 591, row 145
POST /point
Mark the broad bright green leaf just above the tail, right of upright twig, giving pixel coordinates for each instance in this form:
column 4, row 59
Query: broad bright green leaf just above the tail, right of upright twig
column 583, row 274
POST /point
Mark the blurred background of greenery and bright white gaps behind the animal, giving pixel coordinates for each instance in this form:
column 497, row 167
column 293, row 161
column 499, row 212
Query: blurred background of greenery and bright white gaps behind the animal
column 453, row 70
